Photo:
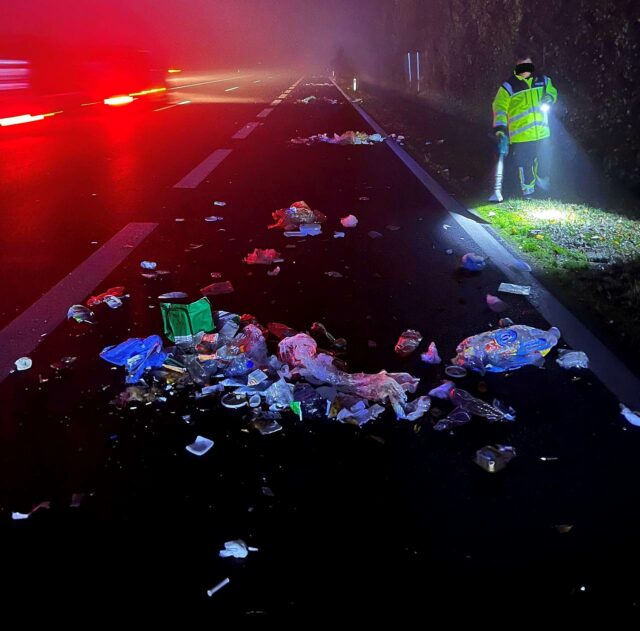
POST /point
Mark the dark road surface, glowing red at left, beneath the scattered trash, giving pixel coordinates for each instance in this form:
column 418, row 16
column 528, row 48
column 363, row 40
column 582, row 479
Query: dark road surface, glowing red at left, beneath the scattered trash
column 391, row 518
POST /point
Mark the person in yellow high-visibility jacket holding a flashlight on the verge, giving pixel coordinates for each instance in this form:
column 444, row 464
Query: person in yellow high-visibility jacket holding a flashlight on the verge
column 520, row 117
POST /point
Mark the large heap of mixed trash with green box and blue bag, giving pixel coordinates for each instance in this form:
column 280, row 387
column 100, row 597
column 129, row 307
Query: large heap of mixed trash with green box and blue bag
column 229, row 357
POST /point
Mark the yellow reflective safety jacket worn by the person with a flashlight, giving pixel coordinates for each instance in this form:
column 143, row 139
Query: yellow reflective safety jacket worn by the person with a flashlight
column 516, row 108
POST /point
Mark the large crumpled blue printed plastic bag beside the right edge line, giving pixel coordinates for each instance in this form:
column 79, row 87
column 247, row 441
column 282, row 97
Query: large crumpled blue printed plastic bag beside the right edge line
column 506, row 349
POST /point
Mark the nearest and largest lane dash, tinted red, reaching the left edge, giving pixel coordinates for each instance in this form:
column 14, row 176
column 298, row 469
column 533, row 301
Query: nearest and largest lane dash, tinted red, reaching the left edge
column 21, row 336
